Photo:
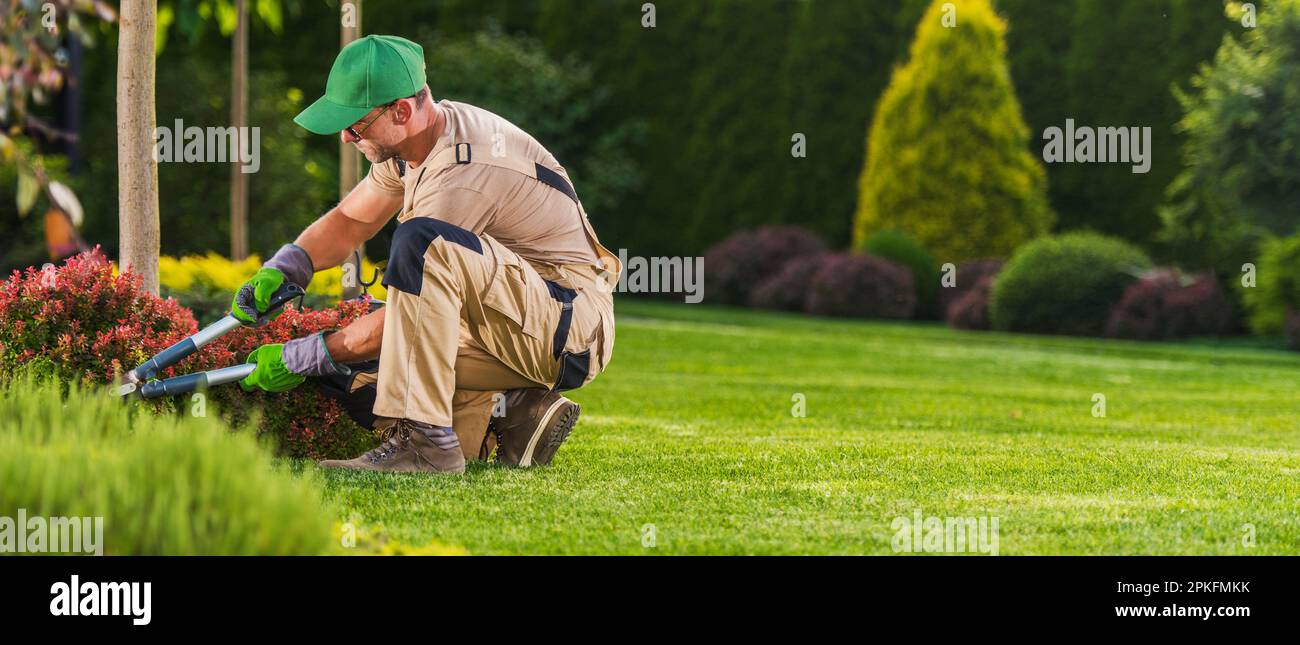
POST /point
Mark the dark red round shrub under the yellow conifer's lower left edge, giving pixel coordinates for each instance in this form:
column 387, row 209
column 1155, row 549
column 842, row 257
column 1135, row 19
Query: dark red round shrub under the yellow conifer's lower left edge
column 861, row 287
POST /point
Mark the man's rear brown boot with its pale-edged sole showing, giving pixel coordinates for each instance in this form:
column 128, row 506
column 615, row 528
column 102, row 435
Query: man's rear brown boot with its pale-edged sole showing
column 535, row 426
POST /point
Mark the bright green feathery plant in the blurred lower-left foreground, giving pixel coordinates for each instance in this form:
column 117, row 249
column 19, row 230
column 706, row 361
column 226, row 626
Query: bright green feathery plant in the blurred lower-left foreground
column 176, row 486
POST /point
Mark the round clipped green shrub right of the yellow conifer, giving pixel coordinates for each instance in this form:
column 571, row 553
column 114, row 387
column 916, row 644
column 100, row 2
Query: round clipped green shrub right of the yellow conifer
column 1065, row 285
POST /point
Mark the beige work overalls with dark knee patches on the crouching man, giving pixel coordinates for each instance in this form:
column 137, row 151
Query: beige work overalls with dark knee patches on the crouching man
column 469, row 318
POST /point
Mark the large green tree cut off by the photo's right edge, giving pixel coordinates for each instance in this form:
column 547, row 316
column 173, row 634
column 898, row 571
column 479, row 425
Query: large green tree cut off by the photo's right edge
column 1242, row 122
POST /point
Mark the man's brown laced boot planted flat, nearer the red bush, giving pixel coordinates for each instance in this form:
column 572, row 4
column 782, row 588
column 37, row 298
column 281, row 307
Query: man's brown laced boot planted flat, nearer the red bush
column 410, row 447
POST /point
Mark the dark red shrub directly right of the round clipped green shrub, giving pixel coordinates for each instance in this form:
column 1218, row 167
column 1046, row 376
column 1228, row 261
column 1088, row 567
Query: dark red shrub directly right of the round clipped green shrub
column 1165, row 305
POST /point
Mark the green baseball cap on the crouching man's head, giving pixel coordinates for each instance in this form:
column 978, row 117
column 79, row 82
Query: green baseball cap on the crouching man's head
column 369, row 72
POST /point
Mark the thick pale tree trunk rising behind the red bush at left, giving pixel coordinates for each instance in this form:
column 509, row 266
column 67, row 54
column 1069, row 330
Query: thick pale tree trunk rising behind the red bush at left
column 137, row 170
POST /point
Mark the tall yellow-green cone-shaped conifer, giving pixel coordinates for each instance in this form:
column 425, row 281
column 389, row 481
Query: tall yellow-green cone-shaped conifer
column 950, row 158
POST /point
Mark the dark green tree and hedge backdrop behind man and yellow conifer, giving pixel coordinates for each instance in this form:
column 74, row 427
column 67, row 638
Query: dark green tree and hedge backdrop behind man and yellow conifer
column 677, row 135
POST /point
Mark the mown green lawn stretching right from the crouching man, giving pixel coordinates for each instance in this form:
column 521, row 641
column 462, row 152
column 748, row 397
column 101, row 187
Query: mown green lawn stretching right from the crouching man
column 692, row 431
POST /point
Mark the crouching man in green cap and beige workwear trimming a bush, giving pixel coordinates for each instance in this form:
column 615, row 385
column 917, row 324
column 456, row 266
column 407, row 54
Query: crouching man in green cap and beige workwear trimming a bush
column 497, row 282
